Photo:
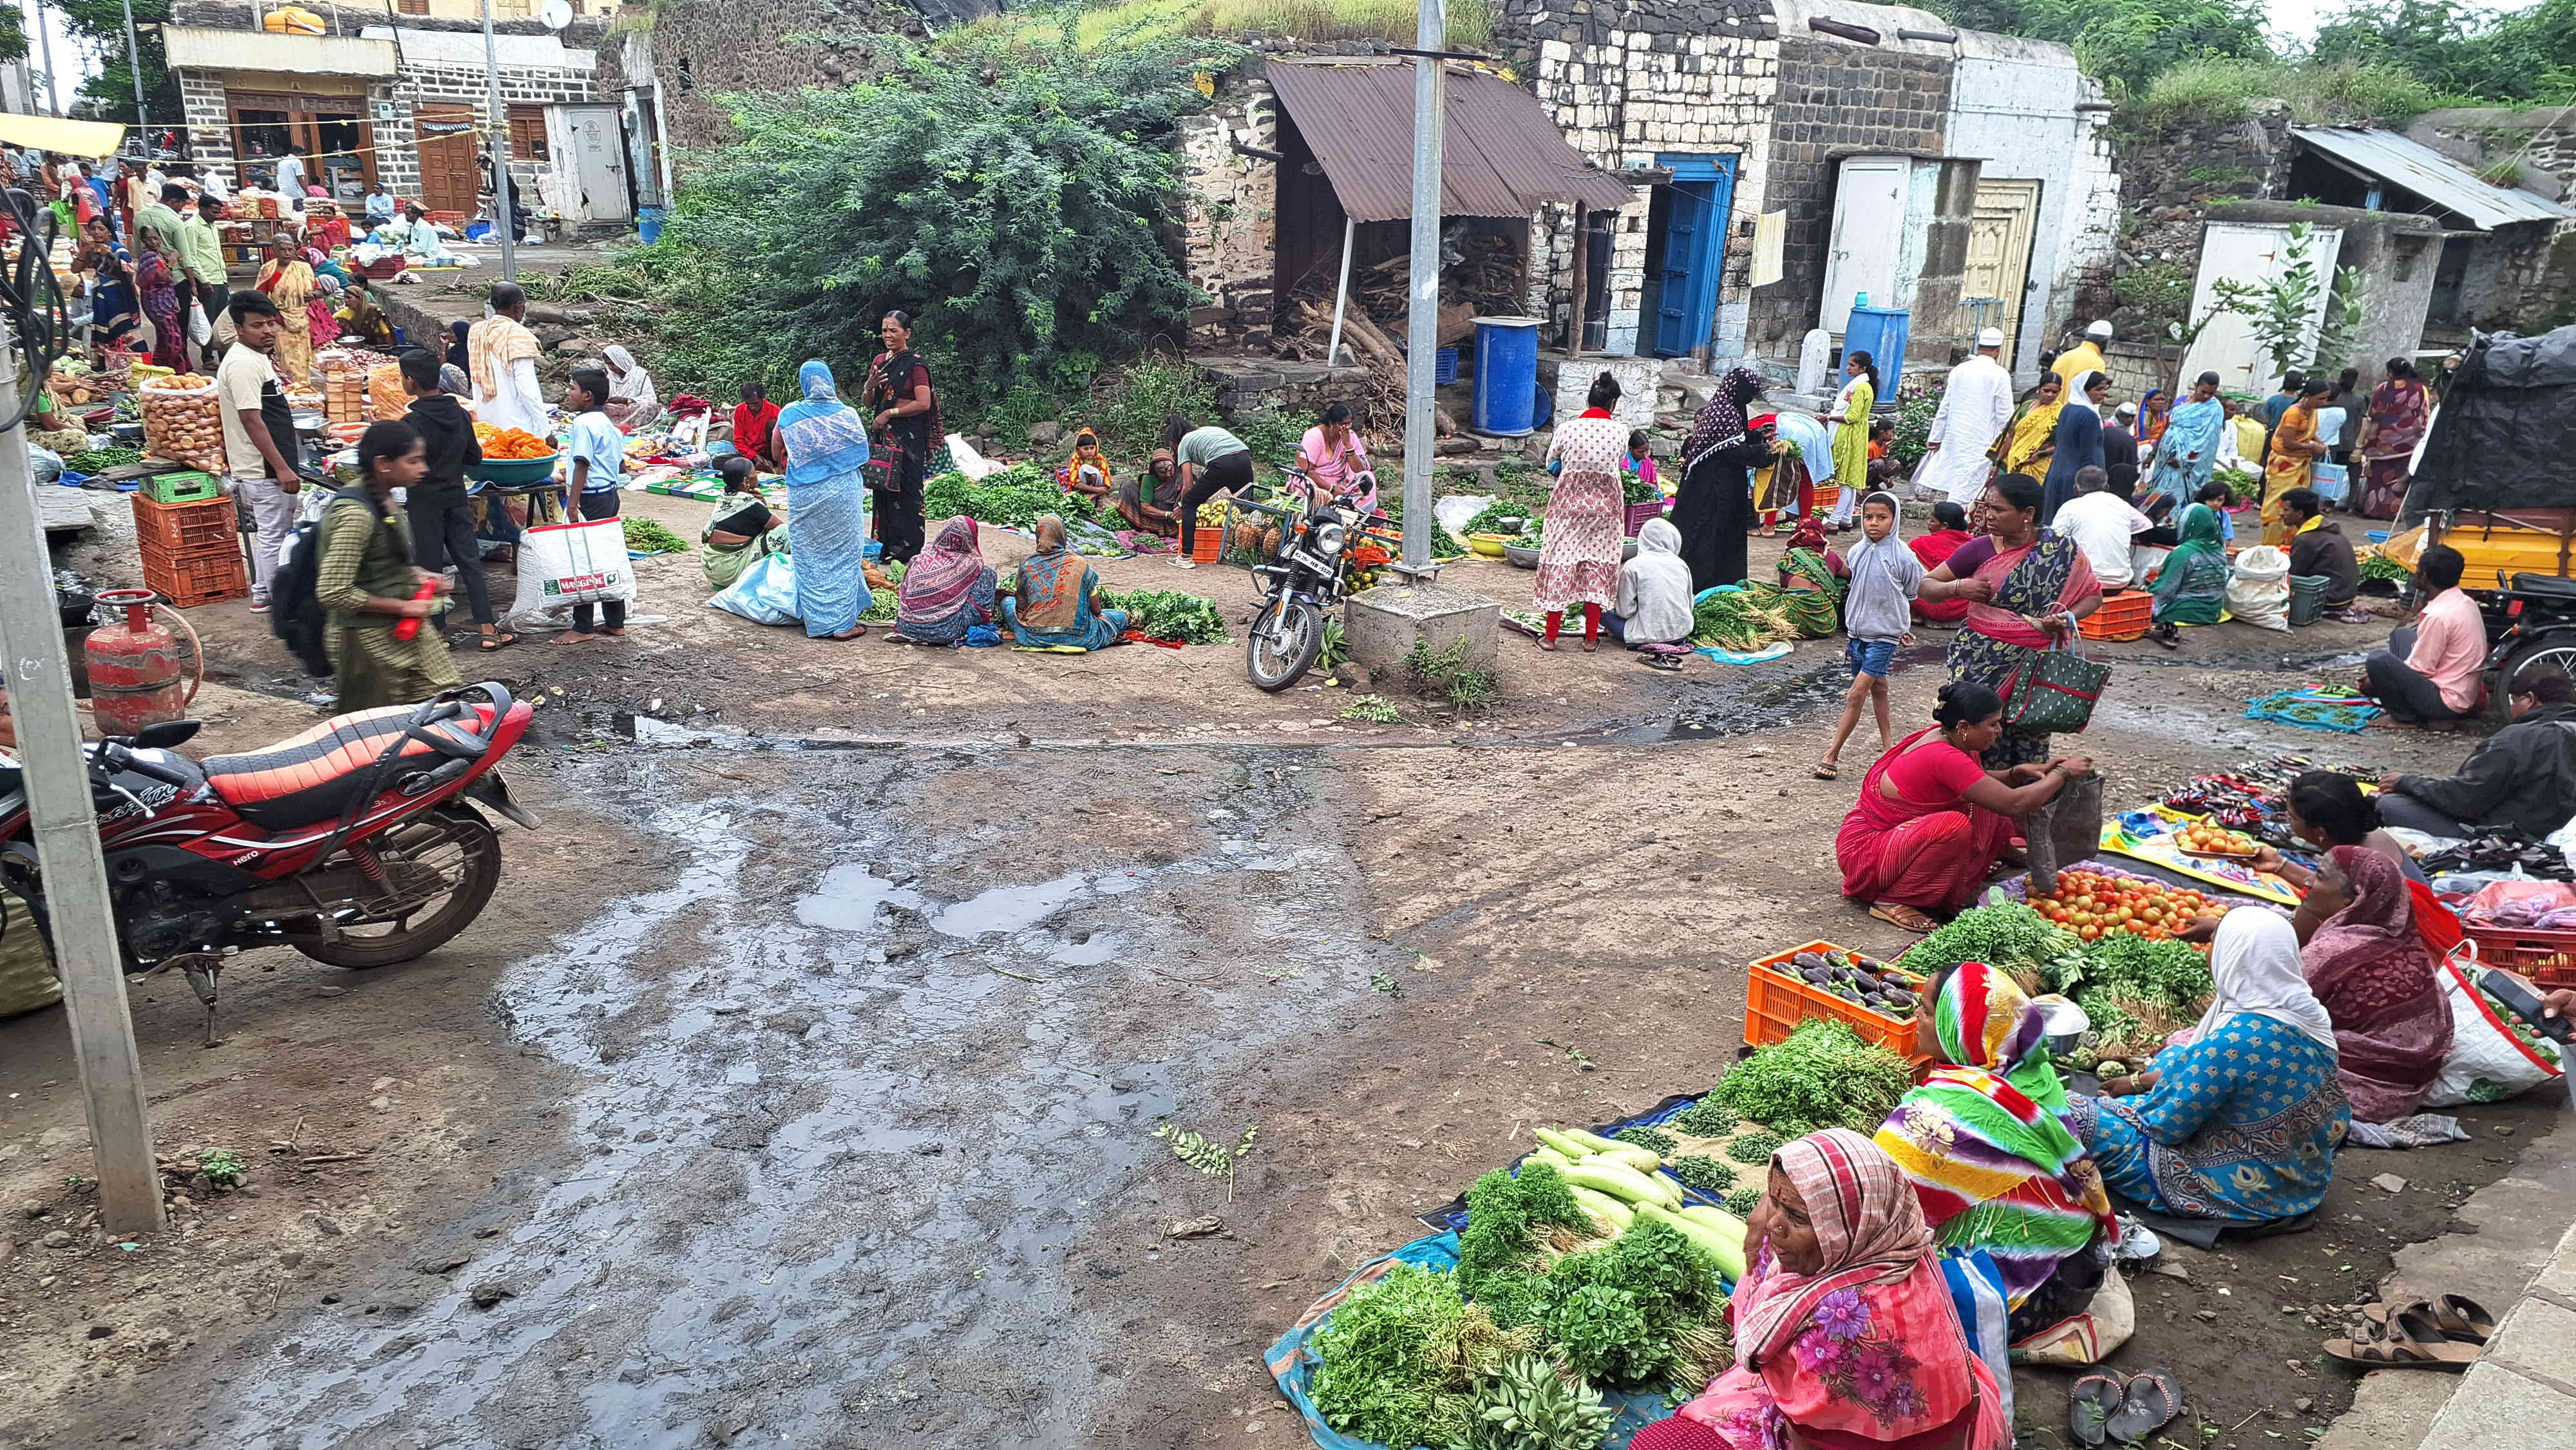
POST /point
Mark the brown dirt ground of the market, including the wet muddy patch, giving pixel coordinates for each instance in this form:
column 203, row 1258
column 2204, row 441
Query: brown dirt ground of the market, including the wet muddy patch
column 800, row 1083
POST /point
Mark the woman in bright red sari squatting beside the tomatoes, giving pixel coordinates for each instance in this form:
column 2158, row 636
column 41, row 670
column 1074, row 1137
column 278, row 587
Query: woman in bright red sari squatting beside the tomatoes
column 1933, row 820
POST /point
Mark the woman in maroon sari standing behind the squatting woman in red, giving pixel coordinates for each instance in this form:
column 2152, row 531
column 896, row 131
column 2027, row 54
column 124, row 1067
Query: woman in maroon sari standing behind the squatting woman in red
column 2026, row 591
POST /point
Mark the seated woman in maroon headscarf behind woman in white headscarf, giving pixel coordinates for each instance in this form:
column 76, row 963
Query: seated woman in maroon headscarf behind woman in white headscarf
column 2379, row 985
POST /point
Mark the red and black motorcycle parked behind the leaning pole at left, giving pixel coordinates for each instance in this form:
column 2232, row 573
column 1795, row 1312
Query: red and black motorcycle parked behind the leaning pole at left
column 352, row 843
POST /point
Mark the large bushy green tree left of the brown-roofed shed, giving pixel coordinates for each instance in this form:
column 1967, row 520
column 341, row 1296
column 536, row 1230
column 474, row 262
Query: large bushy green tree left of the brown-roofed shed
column 1003, row 189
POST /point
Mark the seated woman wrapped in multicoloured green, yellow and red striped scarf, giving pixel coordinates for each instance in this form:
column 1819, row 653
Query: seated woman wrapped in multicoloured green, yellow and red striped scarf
column 1993, row 1165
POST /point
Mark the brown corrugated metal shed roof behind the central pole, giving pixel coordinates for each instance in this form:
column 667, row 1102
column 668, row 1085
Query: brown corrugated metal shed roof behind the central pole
column 1501, row 153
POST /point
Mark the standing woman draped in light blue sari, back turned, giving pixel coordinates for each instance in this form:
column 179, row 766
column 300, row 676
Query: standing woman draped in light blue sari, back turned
column 826, row 444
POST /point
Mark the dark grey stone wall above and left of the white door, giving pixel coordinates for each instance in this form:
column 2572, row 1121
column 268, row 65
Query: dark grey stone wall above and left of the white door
column 1835, row 99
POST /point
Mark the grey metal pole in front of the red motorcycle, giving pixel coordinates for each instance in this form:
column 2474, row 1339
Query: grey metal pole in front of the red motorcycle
column 66, row 828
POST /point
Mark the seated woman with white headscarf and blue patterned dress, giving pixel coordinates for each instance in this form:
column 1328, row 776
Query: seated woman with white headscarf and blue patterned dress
column 2242, row 1122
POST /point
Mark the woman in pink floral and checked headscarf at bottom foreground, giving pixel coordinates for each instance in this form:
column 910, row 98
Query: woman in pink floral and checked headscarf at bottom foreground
column 1846, row 1330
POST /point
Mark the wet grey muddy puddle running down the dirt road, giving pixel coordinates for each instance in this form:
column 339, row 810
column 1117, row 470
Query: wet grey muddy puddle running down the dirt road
column 836, row 1150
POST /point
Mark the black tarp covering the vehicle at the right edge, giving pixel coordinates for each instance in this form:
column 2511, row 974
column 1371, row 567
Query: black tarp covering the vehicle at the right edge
column 2505, row 429
